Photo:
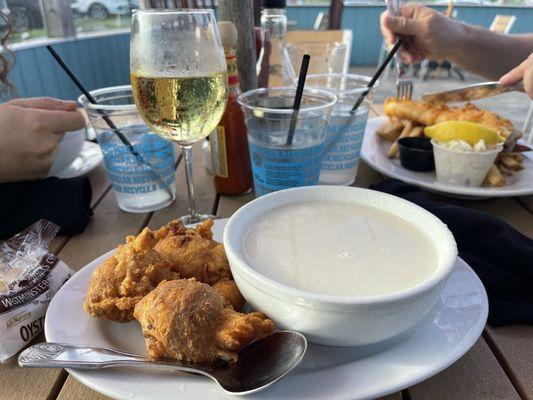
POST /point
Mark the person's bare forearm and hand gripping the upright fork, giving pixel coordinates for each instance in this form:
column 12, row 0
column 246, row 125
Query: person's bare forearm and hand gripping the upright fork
column 431, row 35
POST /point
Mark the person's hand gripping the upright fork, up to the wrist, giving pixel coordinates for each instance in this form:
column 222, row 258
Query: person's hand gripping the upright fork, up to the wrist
column 426, row 34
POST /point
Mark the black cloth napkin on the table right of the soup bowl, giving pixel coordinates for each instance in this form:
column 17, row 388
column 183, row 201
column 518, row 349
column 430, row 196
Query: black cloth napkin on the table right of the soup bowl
column 501, row 256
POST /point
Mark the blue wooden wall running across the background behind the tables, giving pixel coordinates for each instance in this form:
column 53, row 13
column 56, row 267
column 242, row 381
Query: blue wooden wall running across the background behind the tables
column 104, row 61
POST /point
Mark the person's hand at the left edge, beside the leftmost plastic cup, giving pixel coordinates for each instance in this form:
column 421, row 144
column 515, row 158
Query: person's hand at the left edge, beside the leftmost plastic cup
column 30, row 131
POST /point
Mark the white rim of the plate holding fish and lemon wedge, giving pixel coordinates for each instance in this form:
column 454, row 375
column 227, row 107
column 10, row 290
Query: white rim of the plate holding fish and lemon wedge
column 454, row 190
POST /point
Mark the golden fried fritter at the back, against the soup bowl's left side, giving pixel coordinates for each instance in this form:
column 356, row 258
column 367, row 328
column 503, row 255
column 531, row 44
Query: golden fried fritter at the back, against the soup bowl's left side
column 192, row 252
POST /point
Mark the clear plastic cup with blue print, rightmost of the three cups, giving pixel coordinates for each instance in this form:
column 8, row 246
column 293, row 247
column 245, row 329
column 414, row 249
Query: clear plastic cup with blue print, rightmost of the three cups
column 345, row 131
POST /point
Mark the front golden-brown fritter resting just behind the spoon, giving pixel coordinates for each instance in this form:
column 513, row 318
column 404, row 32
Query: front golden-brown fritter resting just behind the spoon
column 190, row 321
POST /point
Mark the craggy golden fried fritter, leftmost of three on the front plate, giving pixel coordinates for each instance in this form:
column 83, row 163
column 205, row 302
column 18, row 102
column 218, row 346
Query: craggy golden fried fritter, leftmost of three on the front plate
column 123, row 279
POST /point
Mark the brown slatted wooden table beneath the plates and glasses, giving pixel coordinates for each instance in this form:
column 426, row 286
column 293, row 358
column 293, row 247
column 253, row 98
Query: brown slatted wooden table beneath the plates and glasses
column 499, row 366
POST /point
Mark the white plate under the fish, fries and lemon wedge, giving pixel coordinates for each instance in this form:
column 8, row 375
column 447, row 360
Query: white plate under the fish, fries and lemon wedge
column 374, row 152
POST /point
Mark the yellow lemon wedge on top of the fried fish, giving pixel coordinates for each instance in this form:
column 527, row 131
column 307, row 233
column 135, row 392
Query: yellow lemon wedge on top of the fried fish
column 470, row 132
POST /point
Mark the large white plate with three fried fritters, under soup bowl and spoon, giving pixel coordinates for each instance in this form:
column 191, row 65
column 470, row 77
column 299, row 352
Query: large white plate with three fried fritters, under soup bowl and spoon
column 169, row 293
